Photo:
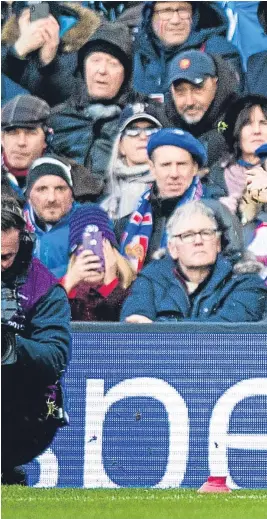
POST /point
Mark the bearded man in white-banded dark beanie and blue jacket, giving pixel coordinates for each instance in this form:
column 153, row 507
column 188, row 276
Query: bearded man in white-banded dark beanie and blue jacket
column 50, row 205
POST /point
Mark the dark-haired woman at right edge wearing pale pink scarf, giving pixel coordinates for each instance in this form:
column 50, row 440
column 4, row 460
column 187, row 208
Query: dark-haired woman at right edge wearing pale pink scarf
column 246, row 131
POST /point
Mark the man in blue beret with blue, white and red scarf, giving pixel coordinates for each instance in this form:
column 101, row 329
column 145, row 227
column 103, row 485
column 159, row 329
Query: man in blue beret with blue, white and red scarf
column 175, row 157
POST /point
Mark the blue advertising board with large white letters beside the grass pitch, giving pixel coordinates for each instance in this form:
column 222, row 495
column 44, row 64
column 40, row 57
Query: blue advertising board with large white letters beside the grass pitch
column 161, row 408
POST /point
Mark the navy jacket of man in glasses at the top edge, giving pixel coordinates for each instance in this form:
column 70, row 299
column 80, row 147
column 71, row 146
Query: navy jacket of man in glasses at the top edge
column 151, row 59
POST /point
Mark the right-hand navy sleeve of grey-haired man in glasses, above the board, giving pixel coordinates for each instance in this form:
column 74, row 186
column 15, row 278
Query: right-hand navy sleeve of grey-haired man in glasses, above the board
column 247, row 302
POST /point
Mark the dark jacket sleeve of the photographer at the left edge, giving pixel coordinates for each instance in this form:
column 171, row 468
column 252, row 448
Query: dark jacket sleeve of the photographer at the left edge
column 47, row 349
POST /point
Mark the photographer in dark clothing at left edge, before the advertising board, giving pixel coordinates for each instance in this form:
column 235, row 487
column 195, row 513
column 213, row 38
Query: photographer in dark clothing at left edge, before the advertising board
column 35, row 319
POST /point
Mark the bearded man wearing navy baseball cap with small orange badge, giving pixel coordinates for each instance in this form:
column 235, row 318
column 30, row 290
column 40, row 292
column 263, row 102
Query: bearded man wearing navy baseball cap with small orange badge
column 201, row 87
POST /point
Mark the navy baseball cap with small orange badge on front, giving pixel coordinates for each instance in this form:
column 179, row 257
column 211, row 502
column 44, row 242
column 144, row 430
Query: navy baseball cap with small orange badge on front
column 193, row 66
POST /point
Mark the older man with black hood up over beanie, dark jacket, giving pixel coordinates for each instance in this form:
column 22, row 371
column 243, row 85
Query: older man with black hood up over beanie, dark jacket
column 86, row 125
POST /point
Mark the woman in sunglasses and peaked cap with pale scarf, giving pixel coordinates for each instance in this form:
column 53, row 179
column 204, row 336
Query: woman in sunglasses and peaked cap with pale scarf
column 129, row 175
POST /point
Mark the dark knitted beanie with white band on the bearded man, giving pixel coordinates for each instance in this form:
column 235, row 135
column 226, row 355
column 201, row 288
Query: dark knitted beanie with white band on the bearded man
column 48, row 165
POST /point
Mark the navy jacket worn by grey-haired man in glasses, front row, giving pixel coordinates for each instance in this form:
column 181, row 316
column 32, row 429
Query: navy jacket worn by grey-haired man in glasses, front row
column 226, row 297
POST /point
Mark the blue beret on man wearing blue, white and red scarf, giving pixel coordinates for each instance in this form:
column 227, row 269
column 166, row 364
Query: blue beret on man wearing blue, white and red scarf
column 181, row 139
